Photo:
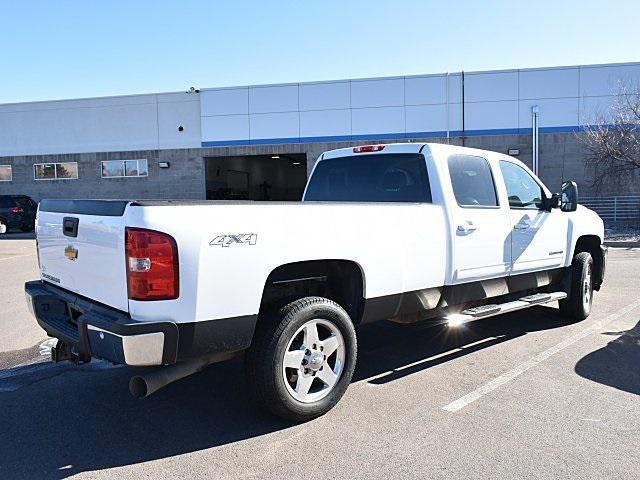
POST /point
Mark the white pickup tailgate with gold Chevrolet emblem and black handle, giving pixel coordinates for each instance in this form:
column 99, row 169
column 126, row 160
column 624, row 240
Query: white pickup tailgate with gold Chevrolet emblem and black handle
column 81, row 244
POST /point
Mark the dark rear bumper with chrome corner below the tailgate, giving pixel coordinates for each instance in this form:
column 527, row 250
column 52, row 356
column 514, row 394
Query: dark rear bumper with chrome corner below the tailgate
column 93, row 330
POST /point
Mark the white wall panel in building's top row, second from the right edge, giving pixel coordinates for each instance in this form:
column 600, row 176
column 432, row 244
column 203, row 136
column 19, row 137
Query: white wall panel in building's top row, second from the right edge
column 549, row 83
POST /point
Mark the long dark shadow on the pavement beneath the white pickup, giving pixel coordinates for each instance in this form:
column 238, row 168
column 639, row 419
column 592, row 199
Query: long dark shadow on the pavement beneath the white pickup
column 79, row 419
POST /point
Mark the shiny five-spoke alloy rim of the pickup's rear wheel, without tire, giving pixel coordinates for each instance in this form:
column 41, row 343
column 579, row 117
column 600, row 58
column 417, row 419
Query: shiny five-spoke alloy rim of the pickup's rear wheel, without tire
column 313, row 361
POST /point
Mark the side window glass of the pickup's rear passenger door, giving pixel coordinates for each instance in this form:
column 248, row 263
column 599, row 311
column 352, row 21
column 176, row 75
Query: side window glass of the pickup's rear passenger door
column 472, row 181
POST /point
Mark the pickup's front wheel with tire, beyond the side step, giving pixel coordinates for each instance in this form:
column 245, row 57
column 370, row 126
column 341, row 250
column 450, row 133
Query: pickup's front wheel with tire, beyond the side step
column 578, row 304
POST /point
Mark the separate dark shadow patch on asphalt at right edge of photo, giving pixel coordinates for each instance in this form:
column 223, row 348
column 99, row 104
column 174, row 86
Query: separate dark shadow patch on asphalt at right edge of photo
column 617, row 364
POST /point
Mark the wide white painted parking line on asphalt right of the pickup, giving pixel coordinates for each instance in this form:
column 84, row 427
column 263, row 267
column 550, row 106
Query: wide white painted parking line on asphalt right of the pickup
column 541, row 357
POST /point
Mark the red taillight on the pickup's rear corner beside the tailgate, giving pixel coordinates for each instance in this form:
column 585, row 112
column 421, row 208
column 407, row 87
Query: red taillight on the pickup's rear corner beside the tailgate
column 152, row 265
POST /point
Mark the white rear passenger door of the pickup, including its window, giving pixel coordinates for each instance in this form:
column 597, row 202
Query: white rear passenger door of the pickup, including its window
column 481, row 227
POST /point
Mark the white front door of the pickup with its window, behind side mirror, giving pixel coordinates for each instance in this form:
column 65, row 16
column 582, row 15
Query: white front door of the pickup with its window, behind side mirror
column 538, row 237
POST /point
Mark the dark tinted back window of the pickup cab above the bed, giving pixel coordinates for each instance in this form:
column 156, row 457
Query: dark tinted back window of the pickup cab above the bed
column 390, row 177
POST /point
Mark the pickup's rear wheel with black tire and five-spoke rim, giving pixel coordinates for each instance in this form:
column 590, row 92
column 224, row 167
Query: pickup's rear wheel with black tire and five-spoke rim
column 287, row 369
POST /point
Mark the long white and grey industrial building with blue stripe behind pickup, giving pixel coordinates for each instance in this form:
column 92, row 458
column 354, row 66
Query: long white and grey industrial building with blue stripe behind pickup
column 260, row 142
